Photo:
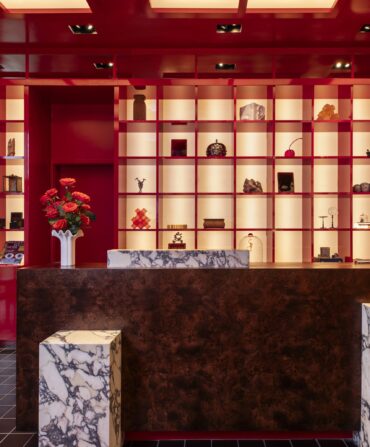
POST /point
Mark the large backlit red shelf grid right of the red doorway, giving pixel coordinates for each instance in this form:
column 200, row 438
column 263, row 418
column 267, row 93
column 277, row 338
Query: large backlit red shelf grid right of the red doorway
column 330, row 157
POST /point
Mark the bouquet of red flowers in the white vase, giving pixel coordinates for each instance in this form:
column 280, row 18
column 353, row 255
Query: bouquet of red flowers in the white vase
column 71, row 211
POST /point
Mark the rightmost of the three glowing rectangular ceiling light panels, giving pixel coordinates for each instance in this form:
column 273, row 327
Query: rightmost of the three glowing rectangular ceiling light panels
column 308, row 5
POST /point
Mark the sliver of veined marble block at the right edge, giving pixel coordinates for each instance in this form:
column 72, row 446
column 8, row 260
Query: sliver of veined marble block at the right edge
column 365, row 377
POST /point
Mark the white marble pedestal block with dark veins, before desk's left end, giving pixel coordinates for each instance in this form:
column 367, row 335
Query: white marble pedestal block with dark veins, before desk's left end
column 80, row 389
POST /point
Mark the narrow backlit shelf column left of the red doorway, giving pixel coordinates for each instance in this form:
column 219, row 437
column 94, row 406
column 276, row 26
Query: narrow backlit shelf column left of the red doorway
column 11, row 163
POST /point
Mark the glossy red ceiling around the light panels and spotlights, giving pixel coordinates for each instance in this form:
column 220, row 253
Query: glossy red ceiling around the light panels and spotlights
column 149, row 44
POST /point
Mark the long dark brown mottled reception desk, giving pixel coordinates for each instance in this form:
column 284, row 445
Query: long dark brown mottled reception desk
column 267, row 348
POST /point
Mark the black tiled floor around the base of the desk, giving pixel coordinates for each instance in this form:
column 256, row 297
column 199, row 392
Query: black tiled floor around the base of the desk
column 9, row 437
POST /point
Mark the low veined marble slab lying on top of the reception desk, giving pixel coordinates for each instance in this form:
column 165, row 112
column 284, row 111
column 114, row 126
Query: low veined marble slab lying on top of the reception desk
column 203, row 259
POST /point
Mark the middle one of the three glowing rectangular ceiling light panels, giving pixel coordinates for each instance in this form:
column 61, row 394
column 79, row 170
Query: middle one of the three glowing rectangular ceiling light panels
column 195, row 4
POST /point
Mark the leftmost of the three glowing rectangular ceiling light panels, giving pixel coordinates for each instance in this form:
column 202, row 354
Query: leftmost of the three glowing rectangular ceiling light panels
column 40, row 6
